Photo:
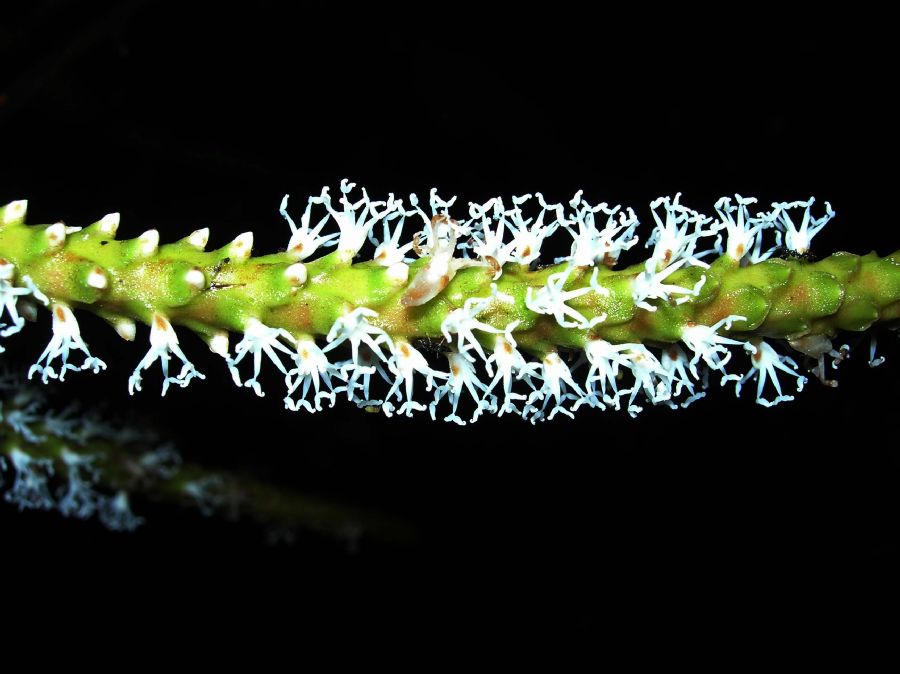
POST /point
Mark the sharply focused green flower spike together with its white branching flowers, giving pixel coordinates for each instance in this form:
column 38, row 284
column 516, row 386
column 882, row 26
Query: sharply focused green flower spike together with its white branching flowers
column 669, row 320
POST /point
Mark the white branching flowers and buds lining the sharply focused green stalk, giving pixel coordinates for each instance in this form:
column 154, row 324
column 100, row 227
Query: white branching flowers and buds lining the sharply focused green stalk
column 363, row 355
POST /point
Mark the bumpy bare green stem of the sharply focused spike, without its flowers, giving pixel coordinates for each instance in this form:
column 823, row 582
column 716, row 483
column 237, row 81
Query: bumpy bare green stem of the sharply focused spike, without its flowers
column 780, row 298
